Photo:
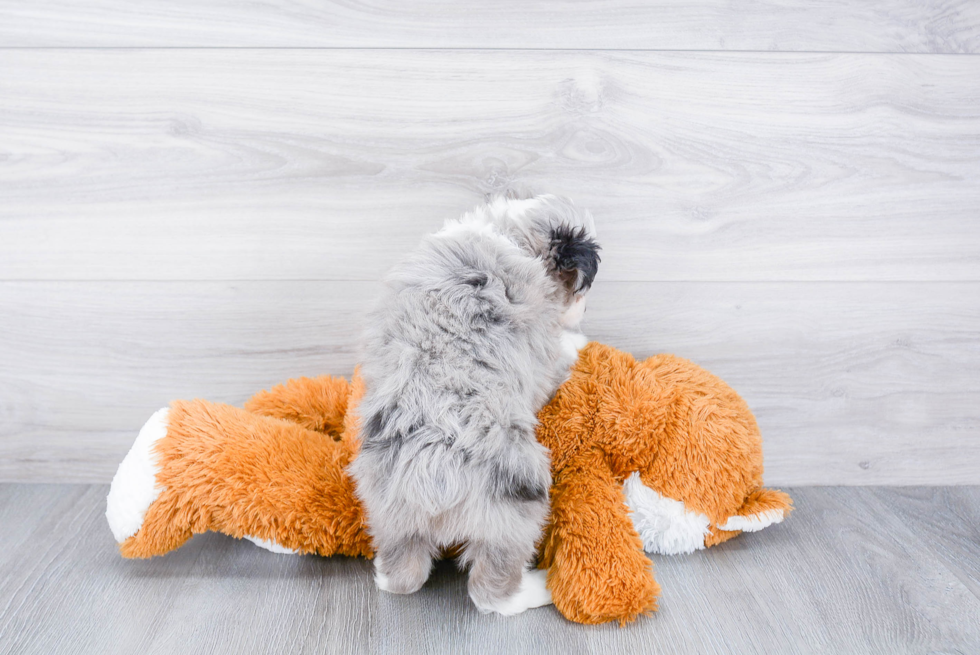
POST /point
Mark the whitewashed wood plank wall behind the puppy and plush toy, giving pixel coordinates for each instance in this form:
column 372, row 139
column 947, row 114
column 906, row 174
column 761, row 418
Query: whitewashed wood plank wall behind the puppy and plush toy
column 197, row 199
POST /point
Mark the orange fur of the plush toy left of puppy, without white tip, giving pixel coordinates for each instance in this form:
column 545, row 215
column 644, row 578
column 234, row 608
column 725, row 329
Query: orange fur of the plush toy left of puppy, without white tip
column 243, row 473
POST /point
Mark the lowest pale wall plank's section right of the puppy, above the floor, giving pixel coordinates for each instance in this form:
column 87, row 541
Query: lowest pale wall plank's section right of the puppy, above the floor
column 851, row 383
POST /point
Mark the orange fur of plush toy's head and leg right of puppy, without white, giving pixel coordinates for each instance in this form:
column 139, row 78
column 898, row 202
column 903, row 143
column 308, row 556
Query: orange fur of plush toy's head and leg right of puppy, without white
column 689, row 436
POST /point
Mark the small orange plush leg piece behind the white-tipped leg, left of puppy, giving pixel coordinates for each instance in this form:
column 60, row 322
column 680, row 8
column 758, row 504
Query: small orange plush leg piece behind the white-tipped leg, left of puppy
column 315, row 403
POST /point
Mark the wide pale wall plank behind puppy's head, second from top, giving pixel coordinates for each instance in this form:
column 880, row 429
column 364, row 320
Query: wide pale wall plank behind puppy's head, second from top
column 270, row 164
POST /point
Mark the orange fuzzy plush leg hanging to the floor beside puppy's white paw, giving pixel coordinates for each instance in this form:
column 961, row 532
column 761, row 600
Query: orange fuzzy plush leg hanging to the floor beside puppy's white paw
column 597, row 569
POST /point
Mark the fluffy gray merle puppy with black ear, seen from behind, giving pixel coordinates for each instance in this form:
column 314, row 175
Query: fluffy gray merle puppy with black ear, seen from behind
column 474, row 333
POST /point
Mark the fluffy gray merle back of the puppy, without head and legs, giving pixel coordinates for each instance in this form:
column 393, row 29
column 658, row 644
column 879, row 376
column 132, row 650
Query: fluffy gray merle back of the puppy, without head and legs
column 461, row 354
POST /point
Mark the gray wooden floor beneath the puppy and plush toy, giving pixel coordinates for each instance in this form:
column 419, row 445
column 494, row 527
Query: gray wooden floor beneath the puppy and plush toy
column 855, row 570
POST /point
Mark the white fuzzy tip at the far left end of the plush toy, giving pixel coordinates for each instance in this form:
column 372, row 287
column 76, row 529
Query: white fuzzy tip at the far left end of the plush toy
column 134, row 487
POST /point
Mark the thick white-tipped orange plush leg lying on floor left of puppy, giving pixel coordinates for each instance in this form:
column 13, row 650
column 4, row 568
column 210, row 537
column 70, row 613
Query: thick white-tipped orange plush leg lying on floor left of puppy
column 216, row 467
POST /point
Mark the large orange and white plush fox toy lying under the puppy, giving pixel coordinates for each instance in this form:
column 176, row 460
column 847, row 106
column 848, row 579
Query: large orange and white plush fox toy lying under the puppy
column 657, row 455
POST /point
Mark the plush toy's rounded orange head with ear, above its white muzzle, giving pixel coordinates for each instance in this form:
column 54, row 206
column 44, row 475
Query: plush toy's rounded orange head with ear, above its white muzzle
column 687, row 433
